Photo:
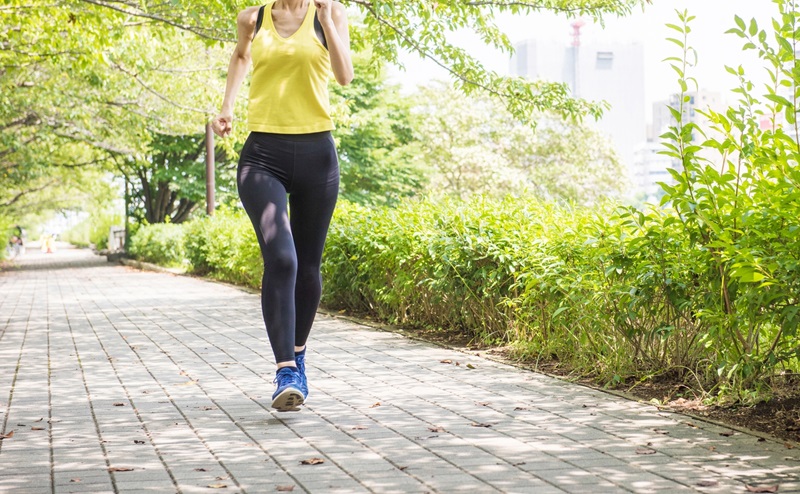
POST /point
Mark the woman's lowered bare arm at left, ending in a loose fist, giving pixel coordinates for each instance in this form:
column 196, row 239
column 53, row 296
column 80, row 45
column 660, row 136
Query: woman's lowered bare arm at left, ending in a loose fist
column 237, row 69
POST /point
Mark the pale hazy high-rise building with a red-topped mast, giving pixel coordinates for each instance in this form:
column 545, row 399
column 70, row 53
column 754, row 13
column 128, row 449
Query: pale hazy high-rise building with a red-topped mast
column 595, row 69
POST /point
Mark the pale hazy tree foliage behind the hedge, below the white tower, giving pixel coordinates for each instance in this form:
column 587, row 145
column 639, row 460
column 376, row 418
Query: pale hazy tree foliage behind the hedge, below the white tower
column 472, row 145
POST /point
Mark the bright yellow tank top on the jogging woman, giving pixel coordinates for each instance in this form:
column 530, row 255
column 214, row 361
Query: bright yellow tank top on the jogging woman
column 289, row 86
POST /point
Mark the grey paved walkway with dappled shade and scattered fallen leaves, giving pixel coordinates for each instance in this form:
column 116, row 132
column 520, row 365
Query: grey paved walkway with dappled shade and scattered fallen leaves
column 118, row 380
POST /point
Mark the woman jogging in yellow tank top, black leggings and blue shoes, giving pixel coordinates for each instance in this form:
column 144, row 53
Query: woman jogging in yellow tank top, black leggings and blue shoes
column 294, row 46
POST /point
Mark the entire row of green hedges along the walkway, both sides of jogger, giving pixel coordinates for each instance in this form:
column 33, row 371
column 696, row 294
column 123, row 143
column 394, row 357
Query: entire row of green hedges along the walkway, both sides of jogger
column 611, row 291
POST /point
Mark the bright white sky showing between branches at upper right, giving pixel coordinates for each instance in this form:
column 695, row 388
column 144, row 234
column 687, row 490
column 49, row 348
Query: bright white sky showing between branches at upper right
column 715, row 48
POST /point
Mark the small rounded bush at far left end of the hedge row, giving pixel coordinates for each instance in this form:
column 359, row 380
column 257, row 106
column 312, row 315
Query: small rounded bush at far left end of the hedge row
column 161, row 243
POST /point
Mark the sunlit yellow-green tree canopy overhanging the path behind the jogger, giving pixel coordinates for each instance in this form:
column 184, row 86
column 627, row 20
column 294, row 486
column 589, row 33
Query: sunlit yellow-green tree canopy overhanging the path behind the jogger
column 86, row 84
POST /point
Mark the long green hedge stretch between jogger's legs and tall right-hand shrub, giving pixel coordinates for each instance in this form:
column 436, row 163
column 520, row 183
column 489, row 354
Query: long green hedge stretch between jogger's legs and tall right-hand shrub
column 603, row 289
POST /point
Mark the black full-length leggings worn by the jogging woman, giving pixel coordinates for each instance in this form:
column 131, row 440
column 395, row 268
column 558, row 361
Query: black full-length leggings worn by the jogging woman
column 305, row 167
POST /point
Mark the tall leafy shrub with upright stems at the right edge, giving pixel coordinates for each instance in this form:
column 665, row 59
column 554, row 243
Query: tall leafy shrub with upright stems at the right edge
column 737, row 199
